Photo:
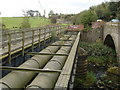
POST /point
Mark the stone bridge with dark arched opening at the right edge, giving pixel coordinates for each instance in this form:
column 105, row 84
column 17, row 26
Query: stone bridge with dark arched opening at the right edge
column 111, row 37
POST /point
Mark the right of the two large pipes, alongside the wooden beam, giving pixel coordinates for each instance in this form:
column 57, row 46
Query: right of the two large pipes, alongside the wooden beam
column 48, row 80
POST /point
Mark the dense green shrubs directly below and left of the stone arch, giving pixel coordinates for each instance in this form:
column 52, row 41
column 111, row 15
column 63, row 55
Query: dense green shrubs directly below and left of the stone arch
column 100, row 54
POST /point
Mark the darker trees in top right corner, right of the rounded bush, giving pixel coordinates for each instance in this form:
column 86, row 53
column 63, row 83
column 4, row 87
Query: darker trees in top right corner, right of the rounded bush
column 107, row 10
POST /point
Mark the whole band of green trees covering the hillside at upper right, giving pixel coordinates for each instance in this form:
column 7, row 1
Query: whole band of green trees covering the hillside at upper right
column 105, row 11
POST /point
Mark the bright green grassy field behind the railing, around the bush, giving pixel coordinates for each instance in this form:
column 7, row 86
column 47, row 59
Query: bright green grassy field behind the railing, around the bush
column 11, row 22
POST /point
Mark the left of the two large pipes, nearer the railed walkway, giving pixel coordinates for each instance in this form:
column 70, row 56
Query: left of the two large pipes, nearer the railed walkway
column 17, row 79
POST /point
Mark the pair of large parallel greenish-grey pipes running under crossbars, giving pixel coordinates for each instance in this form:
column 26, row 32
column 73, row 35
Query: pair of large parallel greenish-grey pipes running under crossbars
column 19, row 79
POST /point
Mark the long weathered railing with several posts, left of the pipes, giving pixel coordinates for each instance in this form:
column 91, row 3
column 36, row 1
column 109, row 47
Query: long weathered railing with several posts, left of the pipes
column 18, row 39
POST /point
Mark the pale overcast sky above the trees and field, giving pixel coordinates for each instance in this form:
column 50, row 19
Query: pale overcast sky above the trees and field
column 11, row 8
